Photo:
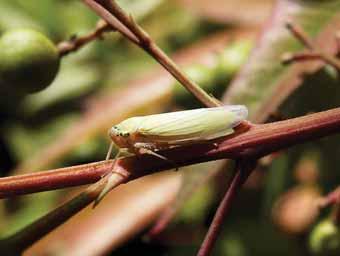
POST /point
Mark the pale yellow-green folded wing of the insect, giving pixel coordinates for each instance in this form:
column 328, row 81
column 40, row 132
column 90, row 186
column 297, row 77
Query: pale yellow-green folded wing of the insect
column 193, row 125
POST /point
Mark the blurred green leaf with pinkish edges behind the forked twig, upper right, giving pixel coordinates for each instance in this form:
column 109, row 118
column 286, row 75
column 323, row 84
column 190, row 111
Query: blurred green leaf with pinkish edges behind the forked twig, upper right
column 264, row 82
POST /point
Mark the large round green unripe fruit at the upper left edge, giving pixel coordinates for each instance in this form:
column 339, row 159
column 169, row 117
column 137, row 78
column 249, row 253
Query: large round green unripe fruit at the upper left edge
column 29, row 61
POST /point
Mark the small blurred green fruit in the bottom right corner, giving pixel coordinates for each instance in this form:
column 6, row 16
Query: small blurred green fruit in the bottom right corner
column 325, row 239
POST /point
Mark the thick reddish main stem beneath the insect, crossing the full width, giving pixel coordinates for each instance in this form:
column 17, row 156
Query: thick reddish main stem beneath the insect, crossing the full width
column 259, row 140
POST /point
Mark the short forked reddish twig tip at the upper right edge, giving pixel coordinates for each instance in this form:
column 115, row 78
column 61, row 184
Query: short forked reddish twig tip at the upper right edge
column 314, row 50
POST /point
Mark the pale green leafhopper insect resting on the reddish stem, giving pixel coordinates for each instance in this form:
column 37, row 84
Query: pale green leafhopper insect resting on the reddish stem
column 148, row 134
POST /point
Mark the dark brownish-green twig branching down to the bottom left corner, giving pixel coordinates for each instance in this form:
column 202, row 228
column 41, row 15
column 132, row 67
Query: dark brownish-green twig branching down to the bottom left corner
column 21, row 240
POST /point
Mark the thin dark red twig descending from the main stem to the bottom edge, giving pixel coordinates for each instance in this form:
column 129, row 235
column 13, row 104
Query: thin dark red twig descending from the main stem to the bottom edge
column 245, row 167
